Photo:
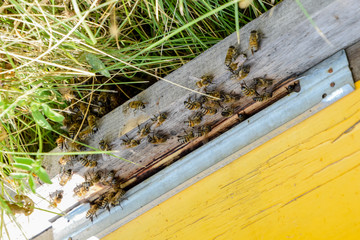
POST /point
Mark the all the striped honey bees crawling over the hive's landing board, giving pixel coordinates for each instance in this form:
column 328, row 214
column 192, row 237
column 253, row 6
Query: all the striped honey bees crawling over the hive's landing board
column 212, row 102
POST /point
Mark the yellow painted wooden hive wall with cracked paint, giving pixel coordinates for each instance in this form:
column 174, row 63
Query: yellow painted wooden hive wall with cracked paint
column 303, row 184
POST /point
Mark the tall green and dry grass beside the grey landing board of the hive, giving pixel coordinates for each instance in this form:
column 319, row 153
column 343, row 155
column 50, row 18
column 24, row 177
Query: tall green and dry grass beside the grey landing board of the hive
column 46, row 44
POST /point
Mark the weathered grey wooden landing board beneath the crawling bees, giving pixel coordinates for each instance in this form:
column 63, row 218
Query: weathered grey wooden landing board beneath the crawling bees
column 290, row 45
